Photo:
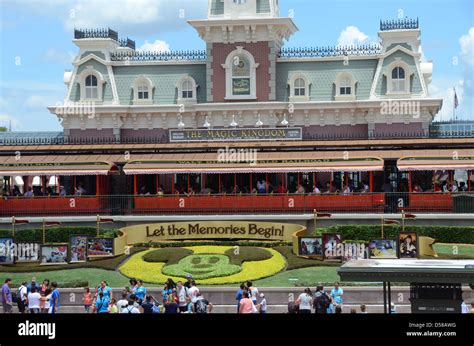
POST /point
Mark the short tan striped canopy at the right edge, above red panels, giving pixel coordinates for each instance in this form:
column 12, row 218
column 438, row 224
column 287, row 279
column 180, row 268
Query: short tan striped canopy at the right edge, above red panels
column 436, row 163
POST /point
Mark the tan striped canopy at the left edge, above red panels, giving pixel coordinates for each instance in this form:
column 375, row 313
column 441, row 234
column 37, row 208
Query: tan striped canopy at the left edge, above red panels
column 47, row 165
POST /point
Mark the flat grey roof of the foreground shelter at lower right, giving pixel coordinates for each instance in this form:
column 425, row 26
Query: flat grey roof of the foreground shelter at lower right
column 408, row 270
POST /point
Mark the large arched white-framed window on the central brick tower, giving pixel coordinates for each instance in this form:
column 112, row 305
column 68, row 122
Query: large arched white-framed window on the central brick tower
column 240, row 68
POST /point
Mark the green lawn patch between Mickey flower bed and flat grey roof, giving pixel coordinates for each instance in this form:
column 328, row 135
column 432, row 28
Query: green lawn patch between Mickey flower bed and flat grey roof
column 305, row 277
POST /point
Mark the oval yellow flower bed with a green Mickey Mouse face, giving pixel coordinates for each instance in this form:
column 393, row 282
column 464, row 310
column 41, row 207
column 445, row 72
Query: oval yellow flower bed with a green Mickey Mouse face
column 211, row 265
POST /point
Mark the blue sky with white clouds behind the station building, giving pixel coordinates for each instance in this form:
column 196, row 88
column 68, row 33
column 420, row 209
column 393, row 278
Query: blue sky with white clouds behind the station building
column 36, row 42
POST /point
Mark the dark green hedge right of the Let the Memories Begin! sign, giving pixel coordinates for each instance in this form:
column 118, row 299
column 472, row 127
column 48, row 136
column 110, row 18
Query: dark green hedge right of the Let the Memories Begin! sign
column 442, row 234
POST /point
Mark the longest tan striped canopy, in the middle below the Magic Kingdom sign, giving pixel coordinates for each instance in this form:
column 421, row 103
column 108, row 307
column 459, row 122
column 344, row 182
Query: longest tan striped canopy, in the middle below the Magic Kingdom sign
column 222, row 163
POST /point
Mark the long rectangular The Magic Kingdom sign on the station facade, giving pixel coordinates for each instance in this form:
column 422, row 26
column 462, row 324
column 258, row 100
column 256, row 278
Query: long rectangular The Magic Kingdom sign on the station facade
column 236, row 134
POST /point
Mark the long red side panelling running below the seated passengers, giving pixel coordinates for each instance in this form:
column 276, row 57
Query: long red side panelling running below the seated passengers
column 238, row 204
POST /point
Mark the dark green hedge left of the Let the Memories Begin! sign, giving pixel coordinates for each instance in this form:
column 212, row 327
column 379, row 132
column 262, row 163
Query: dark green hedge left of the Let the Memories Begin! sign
column 57, row 234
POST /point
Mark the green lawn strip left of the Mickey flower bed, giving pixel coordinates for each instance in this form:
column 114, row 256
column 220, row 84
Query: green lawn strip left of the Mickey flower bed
column 92, row 275
